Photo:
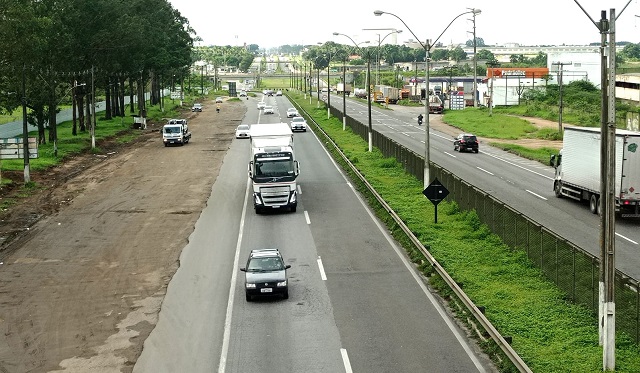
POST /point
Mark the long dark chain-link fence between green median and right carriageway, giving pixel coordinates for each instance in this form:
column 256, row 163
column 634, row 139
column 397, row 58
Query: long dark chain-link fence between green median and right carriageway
column 573, row 270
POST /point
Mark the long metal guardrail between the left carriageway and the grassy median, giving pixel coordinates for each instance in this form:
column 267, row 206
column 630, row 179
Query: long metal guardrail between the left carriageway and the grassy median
column 495, row 335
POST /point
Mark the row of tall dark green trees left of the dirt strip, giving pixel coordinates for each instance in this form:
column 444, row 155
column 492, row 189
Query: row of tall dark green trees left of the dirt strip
column 51, row 50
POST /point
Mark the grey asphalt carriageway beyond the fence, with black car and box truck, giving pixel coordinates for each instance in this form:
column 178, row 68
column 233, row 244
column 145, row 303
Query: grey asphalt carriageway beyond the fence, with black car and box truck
column 523, row 184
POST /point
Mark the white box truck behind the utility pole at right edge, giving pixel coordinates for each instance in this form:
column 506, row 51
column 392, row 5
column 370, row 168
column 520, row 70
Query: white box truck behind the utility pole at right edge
column 578, row 169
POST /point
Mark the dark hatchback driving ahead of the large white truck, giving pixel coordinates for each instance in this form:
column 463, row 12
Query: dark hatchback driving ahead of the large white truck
column 265, row 274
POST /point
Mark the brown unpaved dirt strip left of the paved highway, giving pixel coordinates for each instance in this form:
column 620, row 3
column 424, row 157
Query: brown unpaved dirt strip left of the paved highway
column 81, row 288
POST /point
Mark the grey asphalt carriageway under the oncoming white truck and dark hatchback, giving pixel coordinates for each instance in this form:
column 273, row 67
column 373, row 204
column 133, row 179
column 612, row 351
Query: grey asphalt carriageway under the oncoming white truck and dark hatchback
column 356, row 302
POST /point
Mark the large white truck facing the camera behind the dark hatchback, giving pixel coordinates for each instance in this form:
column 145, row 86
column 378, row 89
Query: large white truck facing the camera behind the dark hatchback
column 273, row 168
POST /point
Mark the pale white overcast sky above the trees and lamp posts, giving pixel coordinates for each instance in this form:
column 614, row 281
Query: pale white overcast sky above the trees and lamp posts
column 274, row 23
